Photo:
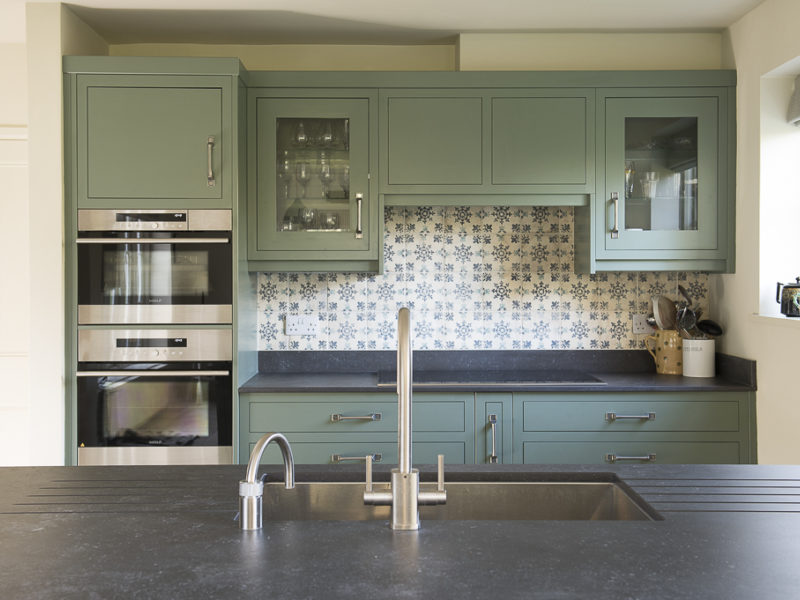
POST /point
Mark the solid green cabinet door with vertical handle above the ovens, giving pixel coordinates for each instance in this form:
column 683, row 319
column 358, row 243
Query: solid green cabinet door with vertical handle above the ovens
column 154, row 141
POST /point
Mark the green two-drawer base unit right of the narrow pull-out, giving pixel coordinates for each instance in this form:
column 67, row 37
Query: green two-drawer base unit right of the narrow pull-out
column 656, row 427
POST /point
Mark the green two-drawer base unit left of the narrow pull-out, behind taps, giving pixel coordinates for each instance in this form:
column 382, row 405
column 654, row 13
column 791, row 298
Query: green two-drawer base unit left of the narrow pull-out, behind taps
column 344, row 428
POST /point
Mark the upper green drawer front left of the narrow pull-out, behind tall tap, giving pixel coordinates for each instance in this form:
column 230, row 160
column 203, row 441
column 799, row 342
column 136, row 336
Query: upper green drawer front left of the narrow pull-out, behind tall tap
column 332, row 417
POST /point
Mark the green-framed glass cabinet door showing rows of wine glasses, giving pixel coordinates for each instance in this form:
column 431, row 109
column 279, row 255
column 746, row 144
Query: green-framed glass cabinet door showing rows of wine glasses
column 313, row 171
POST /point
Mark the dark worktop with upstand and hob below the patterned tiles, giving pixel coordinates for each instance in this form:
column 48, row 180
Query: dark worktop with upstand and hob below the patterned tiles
column 595, row 371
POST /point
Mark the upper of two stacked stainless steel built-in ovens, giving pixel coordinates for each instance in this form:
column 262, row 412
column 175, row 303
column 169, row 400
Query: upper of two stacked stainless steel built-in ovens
column 154, row 266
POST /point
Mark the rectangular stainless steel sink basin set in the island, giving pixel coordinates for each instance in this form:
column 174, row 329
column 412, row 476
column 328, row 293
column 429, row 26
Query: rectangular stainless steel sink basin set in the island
column 466, row 500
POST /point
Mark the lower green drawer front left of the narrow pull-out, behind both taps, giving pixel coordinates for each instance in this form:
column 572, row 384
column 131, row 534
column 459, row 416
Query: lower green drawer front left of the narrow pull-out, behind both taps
column 317, row 453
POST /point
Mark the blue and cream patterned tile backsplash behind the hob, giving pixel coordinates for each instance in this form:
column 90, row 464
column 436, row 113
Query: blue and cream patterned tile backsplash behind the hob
column 475, row 278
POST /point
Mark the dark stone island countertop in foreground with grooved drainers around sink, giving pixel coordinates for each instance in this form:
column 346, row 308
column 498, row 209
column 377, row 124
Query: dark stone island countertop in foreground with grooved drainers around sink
column 729, row 532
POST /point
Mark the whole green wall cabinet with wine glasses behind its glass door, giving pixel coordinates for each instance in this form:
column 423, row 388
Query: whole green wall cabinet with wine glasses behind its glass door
column 312, row 205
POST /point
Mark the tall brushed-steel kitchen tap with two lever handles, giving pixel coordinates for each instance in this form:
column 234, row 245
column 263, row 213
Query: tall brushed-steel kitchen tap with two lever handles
column 404, row 494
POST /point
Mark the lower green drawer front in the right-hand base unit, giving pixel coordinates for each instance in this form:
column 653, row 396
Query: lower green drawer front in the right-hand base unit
column 615, row 452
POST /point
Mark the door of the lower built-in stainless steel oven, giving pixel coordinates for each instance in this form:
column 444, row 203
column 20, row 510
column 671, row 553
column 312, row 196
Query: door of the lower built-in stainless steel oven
column 154, row 413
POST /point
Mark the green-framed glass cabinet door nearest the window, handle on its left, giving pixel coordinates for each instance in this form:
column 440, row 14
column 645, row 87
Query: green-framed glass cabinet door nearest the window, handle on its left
column 661, row 173
